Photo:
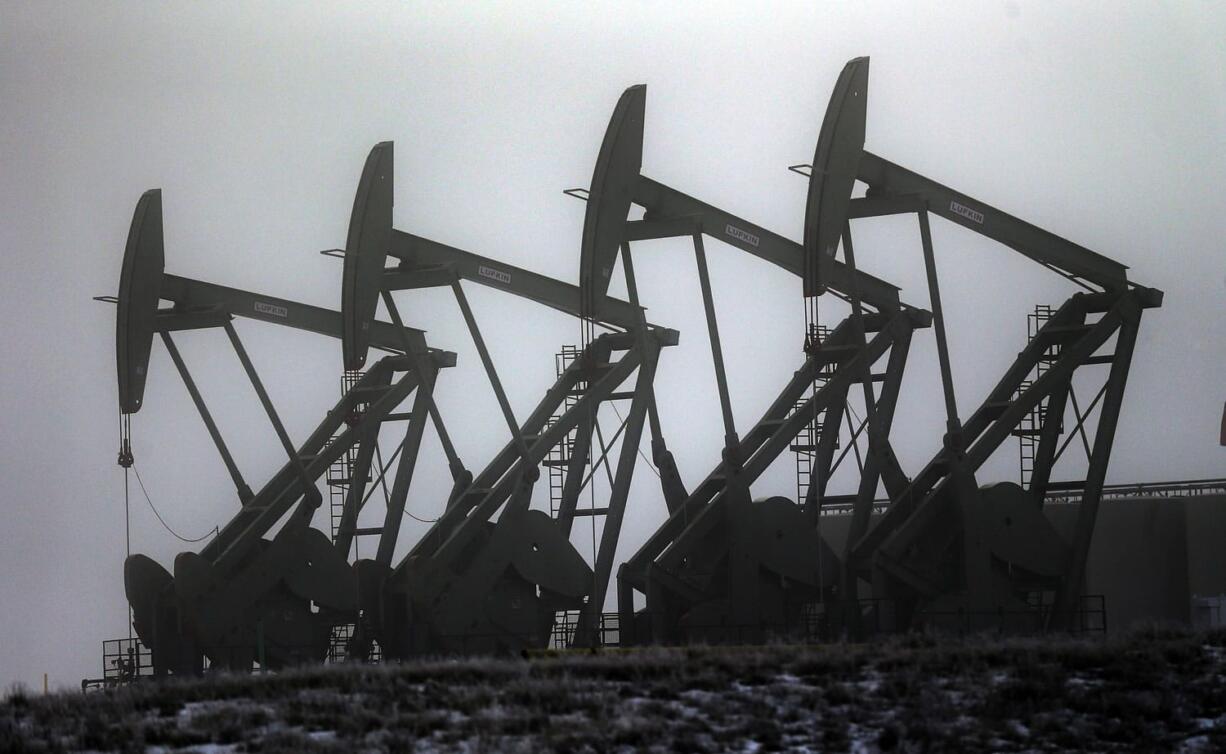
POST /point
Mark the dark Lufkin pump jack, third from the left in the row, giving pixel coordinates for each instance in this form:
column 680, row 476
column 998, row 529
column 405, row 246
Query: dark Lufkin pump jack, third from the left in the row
column 723, row 567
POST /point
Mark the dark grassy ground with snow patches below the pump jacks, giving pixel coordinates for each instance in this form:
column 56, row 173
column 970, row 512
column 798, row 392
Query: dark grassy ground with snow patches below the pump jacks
column 1152, row 691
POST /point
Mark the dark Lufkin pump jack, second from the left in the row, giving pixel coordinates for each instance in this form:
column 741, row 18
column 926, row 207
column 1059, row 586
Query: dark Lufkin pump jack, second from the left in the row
column 475, row 584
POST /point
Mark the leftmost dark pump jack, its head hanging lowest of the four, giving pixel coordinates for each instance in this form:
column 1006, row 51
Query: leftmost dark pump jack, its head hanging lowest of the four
column 245, row 598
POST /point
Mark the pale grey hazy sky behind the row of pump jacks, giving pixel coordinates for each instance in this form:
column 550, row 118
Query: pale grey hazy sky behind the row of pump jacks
column 1105, row 123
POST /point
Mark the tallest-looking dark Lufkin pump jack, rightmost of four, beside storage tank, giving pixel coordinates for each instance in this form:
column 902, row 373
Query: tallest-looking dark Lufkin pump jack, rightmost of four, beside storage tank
column 948, row 551
